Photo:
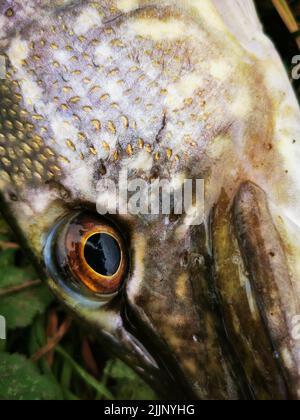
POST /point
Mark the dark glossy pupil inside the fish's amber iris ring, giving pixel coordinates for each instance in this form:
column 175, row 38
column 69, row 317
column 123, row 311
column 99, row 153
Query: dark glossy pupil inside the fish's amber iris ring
column 102, row 253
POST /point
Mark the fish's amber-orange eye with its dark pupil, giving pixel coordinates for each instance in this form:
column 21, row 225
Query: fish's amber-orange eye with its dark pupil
column 90, row 250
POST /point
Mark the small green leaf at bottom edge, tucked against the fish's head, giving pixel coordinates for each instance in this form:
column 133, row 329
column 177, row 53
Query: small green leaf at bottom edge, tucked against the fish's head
column 128, row 384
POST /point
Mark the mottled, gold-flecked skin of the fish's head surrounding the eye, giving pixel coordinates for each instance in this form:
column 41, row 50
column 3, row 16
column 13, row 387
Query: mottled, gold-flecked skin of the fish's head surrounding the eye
column 163, row 90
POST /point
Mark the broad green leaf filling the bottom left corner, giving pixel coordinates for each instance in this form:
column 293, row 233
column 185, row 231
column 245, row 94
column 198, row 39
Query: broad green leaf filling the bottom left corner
column 21, row 380
